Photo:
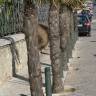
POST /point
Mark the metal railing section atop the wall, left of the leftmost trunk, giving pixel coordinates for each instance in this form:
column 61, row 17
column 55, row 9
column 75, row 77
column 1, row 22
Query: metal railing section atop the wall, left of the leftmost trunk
column 11, row 17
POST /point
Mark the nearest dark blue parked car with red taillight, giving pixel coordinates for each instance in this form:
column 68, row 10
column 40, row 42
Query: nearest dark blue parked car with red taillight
column 84, row 24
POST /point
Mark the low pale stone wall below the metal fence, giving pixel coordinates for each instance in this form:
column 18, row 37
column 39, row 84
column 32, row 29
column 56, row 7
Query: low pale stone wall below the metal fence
column 7, row 65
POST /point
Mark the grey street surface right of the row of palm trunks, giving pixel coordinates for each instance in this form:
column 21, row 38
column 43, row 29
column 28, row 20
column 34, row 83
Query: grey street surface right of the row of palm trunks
column 82, row 74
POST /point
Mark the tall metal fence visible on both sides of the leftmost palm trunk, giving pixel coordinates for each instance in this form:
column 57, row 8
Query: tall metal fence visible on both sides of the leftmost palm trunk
column 11, row 16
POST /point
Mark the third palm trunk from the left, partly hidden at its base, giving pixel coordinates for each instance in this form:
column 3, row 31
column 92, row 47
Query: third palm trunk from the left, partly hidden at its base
column 64, row 34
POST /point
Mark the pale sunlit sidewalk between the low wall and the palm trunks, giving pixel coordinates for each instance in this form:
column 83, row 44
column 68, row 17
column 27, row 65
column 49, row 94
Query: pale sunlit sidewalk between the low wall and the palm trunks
column 19, row 85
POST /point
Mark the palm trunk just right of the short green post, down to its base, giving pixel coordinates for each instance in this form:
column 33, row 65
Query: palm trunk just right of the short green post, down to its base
column 54, row 38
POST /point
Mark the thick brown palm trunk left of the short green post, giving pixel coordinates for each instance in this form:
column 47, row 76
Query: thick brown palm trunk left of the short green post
column 30, row 30
